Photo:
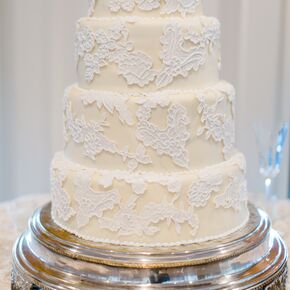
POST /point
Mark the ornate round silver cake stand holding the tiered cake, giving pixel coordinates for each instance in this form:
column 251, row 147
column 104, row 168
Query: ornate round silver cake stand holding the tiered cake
column 47, row 257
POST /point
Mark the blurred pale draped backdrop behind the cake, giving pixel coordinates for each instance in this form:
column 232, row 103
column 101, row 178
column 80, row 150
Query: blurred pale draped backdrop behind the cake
column 37, row 63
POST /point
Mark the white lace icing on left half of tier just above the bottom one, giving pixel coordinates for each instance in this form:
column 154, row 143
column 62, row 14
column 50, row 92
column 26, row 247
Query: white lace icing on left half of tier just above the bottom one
column 91, row 134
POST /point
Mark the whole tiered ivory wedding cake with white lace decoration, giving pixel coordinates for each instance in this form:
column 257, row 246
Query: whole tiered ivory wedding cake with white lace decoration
column 149, row 157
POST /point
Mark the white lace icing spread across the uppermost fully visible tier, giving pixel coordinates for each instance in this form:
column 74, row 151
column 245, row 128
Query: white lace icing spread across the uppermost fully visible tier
column 182, row 52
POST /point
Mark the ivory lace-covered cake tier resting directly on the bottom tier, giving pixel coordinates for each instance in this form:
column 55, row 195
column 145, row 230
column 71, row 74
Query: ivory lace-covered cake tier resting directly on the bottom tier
column 168, row 131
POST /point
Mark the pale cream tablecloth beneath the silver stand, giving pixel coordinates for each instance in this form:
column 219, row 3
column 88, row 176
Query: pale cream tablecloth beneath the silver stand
column 15, row 214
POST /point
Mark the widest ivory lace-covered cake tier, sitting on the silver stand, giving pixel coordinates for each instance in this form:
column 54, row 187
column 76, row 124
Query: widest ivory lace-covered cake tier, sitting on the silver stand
column 149, row 209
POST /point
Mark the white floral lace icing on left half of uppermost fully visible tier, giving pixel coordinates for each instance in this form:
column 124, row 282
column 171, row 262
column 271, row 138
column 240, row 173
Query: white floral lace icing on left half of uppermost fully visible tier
column 107, row 46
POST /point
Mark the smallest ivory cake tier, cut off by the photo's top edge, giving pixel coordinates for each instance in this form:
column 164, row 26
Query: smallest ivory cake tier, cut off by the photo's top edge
column 144, row 8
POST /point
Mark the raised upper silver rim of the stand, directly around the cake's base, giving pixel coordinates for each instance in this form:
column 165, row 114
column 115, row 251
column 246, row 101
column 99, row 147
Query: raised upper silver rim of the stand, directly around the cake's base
column 121, row 256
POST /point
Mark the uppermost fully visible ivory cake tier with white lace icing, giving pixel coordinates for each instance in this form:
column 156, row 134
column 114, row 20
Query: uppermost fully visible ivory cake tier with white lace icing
column 132, row 53
